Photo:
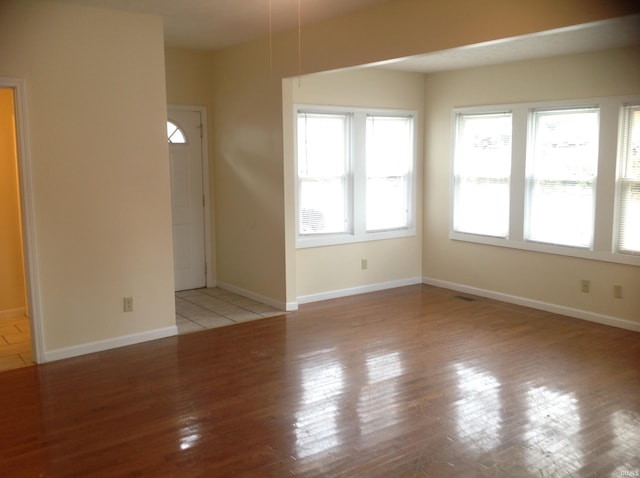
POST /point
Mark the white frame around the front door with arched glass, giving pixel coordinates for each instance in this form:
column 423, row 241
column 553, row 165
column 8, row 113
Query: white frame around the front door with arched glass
column 208, row 257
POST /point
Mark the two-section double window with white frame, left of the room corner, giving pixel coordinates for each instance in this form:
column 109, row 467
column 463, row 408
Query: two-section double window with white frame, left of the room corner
column 355, row 179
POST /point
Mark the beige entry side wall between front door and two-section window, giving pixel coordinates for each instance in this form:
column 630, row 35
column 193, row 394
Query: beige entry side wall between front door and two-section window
column 246, row 152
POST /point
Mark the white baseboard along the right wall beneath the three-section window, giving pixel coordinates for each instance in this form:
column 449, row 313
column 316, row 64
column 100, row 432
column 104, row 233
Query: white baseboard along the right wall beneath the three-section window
column 536, row 304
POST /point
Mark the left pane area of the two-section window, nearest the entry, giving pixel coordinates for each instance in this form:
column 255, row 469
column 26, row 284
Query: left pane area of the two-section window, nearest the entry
column 323, row 165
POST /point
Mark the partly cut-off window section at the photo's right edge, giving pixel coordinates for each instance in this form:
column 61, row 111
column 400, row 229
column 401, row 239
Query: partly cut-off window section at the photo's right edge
column 628, row 220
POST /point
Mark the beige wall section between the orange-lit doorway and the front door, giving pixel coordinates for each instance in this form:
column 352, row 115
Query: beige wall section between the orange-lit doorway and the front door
column 96, row 108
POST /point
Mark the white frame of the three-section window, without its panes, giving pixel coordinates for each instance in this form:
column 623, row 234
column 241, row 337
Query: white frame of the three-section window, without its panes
column 604, row 240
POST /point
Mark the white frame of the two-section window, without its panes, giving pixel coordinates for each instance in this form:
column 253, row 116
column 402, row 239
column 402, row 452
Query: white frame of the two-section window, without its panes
column 357, row 178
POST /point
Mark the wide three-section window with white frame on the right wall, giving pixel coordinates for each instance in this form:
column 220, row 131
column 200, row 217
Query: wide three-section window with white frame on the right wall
column 559, row 177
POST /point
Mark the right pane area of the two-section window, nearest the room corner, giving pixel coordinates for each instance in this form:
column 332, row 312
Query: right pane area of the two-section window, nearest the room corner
column 389, row 164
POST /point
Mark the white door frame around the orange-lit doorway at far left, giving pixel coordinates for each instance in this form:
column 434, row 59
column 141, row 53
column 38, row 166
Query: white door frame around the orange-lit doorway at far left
column 25, row 190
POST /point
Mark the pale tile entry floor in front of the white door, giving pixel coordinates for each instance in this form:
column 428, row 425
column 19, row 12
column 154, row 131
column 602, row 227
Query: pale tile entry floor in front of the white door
column 202, row 309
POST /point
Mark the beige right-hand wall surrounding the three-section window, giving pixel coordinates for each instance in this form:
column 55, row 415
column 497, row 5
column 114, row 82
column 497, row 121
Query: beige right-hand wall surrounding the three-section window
column 541, row 277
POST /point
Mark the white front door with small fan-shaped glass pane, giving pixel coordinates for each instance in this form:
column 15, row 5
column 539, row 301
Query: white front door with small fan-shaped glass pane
column 187, row 198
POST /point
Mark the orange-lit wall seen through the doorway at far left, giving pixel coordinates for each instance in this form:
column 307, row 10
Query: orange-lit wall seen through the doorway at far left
column 12, row 293
